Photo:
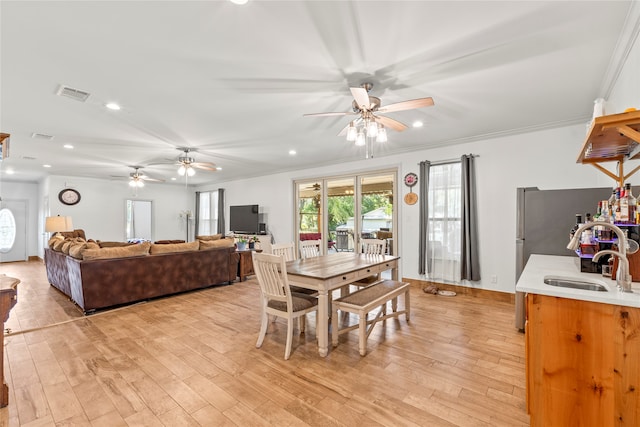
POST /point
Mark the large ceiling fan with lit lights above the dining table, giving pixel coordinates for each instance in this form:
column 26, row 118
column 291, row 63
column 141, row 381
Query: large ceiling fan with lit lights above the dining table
column 368, row 108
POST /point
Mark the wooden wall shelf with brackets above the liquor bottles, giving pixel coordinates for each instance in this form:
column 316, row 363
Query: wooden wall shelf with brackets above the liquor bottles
column 615, row 137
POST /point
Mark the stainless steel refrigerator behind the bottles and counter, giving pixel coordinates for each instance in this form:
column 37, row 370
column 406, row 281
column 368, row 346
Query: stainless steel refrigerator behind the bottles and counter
column 544, row 219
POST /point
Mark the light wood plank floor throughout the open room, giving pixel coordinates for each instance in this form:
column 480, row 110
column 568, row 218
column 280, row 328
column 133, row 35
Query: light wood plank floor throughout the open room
column 191, row 360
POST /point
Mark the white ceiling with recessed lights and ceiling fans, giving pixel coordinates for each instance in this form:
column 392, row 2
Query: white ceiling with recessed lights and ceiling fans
column 234, row 81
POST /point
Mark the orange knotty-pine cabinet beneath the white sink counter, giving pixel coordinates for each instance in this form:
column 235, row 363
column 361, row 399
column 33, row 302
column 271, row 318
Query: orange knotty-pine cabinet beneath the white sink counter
column 583, row 363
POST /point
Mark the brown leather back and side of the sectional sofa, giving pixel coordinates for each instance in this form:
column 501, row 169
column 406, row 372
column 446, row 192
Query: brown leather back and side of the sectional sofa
column 101, row 283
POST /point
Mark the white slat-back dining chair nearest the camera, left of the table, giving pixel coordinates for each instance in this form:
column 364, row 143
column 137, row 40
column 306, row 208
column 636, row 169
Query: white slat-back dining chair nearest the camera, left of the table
column 277, row 298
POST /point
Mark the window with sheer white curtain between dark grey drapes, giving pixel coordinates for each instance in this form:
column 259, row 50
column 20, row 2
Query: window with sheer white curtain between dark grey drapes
column 444, row 229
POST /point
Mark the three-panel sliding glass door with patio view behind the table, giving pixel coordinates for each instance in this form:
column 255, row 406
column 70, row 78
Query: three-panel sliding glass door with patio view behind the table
column 341, row 211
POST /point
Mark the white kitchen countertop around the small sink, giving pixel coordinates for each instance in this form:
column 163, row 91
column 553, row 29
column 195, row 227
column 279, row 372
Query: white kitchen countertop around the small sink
column 539, row 266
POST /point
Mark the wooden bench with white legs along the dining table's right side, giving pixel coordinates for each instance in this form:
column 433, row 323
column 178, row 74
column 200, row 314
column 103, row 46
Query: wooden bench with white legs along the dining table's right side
column 363, row 301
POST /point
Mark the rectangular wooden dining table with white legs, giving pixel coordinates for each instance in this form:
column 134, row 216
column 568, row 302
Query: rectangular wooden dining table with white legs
column 333, row 271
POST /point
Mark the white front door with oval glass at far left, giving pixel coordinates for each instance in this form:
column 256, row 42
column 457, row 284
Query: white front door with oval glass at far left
column 13, row 230
